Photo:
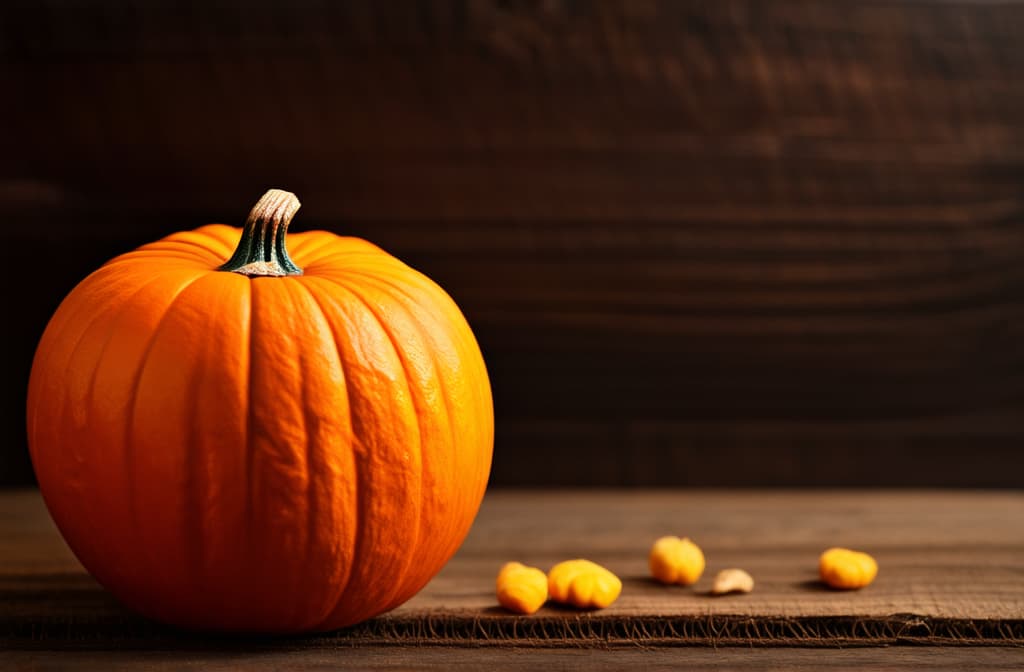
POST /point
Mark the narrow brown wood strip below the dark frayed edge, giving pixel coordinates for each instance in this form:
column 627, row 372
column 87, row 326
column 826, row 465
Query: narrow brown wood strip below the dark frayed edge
column 473, row 660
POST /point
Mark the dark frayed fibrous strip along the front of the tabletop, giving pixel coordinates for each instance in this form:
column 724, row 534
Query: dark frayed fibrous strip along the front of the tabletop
column 570, row 631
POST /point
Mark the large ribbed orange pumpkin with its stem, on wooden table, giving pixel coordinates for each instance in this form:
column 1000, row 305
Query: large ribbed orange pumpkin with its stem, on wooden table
column 294, row 440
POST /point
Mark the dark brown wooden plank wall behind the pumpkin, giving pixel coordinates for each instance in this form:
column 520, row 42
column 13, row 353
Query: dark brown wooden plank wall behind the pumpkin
column 739, row 243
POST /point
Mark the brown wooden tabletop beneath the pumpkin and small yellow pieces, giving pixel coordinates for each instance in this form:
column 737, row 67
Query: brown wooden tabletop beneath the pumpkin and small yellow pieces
column 952, row 579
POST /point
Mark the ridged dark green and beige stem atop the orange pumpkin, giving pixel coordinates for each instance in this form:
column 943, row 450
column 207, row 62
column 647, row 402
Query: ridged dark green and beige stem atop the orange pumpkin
column 262, row 250
